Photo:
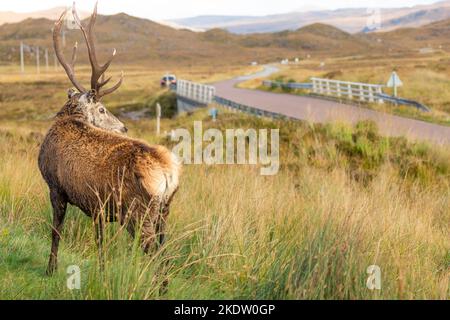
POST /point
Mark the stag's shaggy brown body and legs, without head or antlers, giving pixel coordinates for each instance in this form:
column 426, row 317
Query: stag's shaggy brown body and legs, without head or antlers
column 102, row 172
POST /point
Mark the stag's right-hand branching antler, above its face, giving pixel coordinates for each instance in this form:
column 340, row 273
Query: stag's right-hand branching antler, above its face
column 98, row 71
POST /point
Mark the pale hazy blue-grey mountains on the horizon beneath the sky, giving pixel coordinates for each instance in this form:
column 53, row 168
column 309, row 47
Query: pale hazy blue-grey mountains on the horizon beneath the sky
column 350, row 20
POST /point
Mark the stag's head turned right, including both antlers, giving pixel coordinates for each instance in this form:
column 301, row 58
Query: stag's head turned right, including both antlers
column 87, row 102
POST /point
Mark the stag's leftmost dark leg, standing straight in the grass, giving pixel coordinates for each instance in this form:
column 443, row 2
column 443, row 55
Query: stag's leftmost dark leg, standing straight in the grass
column 59, row 204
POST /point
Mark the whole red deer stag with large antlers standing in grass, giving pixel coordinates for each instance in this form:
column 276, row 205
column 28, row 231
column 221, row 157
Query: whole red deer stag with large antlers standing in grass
column 88, row 162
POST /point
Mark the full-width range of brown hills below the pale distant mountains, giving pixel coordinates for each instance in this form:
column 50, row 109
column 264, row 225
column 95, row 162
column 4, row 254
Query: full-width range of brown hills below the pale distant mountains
column 146, row 42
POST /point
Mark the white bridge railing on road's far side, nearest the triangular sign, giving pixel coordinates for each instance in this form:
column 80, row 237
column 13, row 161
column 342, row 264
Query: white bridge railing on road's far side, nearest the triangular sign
column 350, row 90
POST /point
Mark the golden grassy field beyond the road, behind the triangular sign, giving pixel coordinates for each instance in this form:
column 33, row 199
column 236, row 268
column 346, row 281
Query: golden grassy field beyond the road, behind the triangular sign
column 425, row 79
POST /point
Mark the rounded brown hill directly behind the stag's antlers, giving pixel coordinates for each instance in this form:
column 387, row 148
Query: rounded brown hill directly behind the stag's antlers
column 135, row 40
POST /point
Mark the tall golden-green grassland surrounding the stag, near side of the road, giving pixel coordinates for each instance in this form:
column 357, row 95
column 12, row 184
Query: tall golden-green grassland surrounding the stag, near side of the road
column 344, row 199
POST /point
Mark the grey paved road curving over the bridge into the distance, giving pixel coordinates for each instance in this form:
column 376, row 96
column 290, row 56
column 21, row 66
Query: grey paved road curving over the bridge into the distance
column 322, row 111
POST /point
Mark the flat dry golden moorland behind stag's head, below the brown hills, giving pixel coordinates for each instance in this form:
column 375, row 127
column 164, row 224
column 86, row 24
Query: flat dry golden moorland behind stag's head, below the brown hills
column 38, row 97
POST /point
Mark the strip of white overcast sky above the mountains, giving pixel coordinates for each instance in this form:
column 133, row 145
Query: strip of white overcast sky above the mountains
column 169, row 9
